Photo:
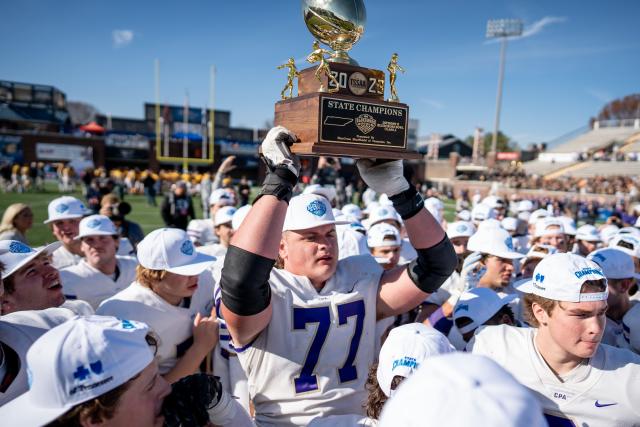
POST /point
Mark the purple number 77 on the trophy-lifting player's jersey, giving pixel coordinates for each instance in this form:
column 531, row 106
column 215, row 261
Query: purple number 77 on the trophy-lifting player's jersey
column 307, row 381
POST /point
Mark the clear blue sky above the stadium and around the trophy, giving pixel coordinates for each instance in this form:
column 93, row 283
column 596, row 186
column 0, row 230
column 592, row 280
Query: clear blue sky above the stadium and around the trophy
column 580, row 54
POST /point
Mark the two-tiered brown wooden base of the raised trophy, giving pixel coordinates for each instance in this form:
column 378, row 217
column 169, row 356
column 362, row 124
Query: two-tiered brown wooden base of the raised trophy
column 354, row 122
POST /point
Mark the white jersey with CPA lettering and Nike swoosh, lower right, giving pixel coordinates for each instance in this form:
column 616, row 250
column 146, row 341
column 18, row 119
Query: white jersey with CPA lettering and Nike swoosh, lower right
column 603, row 392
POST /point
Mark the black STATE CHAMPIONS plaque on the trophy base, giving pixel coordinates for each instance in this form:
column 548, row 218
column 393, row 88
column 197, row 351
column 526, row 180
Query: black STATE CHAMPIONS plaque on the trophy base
column 363, row 123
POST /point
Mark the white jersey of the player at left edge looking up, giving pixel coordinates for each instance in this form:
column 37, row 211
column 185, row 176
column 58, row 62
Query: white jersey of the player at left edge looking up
column 18, row 331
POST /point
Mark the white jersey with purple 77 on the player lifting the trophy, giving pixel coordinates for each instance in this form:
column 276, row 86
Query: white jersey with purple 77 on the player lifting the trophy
column 313, row 358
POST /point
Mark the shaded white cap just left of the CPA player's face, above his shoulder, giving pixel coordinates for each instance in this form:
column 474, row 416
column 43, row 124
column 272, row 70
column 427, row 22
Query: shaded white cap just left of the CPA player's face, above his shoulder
column 479, row 304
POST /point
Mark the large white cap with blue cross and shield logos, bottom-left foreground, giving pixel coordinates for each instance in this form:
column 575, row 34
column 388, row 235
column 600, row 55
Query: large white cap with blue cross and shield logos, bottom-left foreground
column 77, row 361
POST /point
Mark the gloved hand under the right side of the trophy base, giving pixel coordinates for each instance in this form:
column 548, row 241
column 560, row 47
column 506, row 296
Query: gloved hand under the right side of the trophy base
column 383, row 177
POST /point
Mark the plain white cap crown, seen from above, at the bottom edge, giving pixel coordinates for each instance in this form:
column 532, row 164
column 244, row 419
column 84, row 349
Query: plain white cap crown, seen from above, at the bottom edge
column 462, row 389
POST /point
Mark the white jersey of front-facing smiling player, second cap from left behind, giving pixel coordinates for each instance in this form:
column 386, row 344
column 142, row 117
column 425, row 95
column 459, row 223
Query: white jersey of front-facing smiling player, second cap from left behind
column 87, row 283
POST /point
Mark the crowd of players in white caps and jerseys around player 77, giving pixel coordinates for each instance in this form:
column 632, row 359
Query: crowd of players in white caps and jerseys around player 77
column 310, row 314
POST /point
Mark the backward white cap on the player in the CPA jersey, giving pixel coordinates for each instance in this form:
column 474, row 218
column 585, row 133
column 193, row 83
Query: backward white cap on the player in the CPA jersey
column 560, row 277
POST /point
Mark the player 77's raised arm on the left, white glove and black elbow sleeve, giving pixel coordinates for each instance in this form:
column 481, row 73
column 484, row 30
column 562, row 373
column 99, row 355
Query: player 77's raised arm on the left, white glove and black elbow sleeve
column 246, row 295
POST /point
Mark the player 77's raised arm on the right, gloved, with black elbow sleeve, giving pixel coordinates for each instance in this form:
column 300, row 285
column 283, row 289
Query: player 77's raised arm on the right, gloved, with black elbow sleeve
column 404, row 287
